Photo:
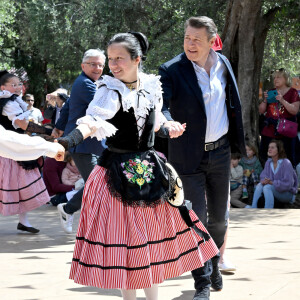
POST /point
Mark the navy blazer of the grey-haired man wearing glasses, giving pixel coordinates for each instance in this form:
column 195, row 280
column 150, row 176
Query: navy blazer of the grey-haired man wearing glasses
column 82, row 93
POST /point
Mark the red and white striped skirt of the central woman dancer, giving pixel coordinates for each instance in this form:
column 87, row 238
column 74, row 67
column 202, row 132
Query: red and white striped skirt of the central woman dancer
column 128, row 247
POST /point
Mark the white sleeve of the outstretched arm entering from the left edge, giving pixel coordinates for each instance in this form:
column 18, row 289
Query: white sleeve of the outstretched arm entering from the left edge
column 23, row 147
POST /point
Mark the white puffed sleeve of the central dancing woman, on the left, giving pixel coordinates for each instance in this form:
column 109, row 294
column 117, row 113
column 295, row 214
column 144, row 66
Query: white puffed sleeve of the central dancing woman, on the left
column 103, row 107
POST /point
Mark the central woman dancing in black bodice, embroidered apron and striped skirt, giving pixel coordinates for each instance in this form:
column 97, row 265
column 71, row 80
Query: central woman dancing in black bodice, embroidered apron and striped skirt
column 129, row 236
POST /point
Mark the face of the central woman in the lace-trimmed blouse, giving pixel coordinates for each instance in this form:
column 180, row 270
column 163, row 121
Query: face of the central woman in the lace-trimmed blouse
column 120, row 63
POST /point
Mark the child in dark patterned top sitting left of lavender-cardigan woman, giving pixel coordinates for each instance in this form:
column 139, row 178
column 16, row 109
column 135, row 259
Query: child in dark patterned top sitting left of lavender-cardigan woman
column 251, row 169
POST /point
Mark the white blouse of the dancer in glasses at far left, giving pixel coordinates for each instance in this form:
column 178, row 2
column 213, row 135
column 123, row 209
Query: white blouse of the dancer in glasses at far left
column 14, row 110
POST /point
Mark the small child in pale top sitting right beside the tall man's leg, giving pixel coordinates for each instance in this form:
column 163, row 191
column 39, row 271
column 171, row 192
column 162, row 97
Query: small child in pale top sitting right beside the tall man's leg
column 236, row 177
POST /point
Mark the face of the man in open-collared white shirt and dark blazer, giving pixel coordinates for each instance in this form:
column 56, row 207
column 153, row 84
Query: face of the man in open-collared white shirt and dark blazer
column 196, row 44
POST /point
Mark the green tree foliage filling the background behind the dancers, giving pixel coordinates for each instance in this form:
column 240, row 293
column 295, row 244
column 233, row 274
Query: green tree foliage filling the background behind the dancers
column 47, row 38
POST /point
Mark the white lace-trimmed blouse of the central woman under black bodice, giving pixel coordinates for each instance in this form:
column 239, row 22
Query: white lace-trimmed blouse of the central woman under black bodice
column 106, row 104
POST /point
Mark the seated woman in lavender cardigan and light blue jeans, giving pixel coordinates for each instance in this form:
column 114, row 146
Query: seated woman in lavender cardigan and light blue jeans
column 278, row 179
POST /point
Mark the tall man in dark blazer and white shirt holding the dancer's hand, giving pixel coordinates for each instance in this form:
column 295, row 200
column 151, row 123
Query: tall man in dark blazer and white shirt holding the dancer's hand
column 200, row 90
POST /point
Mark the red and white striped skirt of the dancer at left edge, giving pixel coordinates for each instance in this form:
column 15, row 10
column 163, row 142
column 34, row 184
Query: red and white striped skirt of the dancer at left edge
column 20, row 190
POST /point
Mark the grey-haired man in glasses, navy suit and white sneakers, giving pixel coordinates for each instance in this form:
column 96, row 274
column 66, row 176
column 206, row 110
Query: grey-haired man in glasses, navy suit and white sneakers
column 86, row 154
